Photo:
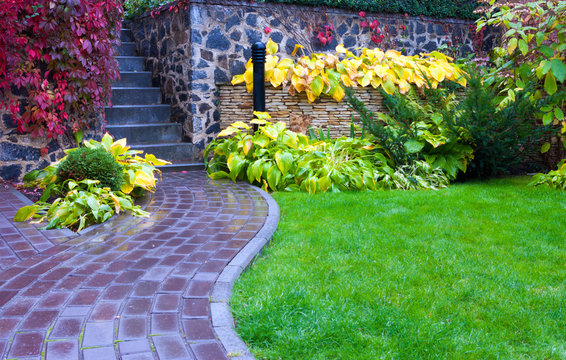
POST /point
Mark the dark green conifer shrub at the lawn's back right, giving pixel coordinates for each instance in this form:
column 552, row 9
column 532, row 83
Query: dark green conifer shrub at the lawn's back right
column 499, row 135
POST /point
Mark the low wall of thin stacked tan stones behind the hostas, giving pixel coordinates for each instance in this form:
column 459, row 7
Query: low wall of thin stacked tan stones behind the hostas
column 236, row 104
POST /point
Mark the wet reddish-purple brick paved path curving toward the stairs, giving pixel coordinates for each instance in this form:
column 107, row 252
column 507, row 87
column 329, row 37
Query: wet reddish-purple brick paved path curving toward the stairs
column 131, row 288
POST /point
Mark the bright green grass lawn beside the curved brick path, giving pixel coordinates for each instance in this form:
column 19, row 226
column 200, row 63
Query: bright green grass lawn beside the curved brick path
column 475, row 271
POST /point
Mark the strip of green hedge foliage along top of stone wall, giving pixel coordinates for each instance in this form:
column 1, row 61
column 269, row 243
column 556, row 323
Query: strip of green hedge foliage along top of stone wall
column 463, row 9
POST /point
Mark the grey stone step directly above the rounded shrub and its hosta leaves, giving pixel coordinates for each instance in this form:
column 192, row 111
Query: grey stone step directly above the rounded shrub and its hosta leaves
column 147, row 133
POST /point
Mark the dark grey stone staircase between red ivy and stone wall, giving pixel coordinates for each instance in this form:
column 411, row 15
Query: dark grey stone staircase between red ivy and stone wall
column 138, row 114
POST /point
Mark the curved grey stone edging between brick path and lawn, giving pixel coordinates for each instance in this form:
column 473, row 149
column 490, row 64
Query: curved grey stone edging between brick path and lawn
column 221, row 313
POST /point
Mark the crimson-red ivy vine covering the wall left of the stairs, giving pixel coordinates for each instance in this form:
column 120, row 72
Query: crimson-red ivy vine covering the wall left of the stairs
column 58, row 56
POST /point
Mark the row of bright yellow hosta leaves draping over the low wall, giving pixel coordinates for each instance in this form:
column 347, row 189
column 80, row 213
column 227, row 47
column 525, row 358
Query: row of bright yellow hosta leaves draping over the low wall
column 329, row 74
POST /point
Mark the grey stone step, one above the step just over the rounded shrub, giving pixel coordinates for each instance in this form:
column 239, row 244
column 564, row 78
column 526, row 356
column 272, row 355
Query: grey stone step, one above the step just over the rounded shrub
column 137, row 114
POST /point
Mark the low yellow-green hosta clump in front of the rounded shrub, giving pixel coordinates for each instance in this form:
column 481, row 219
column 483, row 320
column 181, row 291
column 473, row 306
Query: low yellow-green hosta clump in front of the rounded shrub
column 85, row 203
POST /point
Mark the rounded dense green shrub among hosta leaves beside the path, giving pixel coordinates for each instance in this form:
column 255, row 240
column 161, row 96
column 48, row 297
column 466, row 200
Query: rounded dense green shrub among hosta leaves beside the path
column 93, row 164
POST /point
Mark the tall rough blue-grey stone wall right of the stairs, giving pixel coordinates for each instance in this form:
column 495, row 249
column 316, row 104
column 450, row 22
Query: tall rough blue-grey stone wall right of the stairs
column 193, row 50
